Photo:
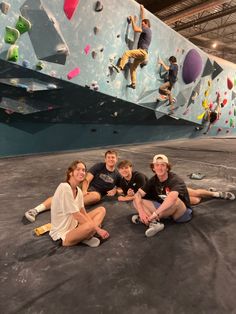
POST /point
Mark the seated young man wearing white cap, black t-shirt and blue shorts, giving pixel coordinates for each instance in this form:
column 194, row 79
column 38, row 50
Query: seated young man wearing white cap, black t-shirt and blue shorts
column 169, row 198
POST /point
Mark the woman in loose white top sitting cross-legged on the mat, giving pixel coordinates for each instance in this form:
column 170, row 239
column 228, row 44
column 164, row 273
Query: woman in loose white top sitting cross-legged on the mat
column 70, row 222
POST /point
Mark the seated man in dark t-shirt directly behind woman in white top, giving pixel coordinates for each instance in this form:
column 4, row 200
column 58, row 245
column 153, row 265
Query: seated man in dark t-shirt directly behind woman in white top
column 100, row 181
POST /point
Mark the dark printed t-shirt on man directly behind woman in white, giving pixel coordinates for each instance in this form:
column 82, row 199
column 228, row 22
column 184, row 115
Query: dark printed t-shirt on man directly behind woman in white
column 104, row 180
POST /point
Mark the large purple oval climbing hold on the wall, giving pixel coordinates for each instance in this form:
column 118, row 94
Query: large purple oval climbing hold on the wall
column 192, row 66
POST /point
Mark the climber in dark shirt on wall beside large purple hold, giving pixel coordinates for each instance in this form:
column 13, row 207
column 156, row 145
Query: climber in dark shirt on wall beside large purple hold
column 170, row 79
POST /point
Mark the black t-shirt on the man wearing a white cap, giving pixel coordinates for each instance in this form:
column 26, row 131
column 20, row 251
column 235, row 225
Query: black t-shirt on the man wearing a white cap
column 154, row 188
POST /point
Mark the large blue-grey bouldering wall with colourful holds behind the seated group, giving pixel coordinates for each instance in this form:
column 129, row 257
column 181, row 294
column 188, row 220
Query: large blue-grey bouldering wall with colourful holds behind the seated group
column 56, row 73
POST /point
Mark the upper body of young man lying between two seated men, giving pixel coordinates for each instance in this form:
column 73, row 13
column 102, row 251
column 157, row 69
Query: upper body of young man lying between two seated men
column 129, row 182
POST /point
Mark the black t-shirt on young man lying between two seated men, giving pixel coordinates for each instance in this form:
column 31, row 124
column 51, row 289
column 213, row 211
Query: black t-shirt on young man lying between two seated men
column 137, row 181
